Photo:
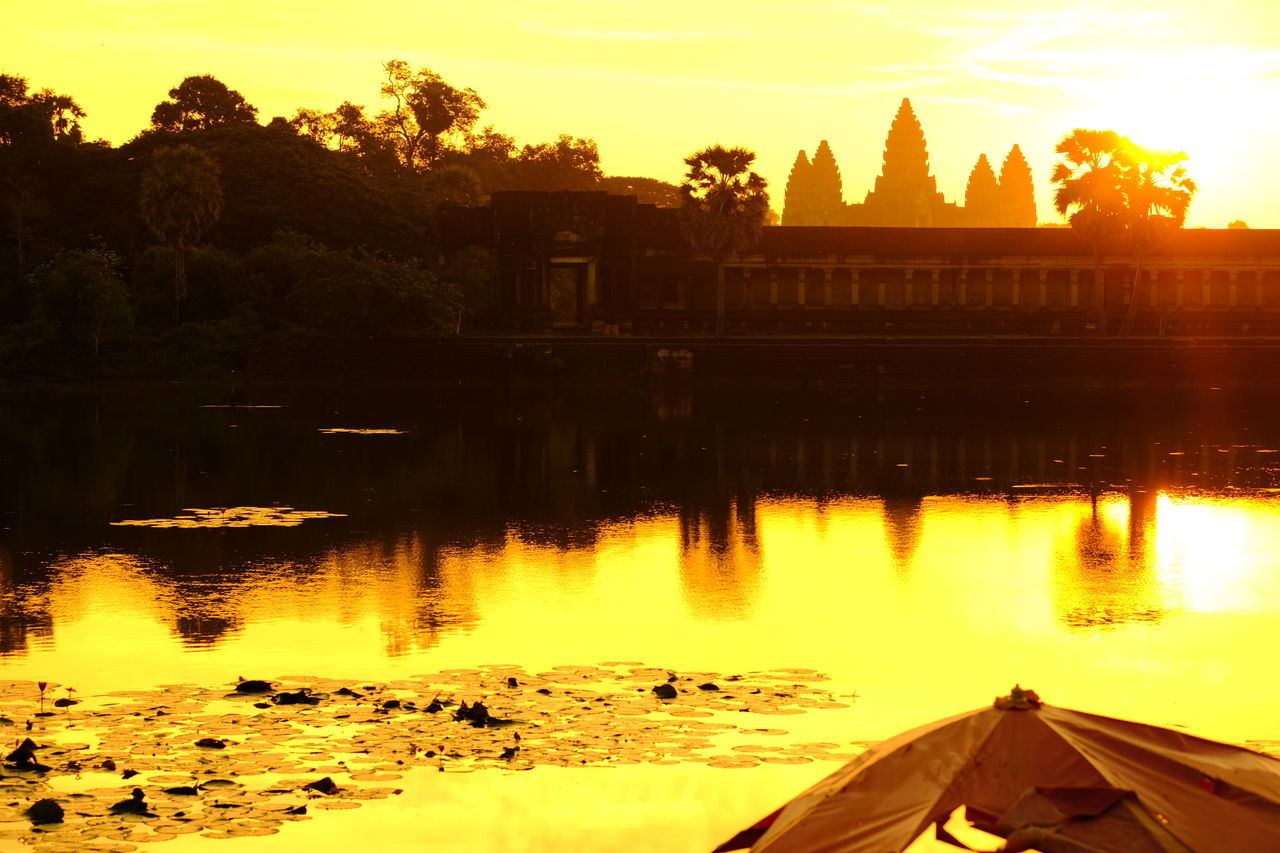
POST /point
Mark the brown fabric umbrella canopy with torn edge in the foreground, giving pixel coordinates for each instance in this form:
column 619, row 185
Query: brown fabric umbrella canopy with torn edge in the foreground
column 1190, row 793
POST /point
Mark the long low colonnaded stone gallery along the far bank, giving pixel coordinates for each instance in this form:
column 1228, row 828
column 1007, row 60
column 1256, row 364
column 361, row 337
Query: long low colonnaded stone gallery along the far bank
column 586, row 261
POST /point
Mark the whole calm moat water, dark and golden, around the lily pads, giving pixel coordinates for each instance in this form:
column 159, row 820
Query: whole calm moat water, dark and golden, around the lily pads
column 927, row 551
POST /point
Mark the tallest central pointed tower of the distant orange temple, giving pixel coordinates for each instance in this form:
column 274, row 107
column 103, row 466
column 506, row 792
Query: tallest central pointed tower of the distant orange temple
column 906, row 191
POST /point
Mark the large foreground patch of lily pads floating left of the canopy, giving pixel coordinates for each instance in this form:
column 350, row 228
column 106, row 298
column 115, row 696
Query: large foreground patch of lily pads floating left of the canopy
column 108, row 773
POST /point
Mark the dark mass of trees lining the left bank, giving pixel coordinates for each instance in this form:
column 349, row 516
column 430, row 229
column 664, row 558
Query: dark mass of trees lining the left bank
column 321, row 223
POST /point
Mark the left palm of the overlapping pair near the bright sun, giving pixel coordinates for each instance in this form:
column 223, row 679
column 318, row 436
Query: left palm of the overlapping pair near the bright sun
column 1091, row 195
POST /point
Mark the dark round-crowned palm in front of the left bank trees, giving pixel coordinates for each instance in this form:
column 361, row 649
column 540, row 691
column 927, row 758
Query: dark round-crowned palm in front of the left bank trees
column 181, row 199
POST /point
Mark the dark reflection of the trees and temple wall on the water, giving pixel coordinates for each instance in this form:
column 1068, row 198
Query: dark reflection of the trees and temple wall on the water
column 561, row 471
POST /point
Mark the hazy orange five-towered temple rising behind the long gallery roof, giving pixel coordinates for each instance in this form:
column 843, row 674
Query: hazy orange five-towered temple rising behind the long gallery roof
column 906, row 193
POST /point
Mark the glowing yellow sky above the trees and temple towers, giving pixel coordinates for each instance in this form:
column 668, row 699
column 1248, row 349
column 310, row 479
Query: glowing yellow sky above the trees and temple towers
column 656, row 80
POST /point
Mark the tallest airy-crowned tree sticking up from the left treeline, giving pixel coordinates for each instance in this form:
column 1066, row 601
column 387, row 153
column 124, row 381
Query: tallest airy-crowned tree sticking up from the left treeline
column 426, row 113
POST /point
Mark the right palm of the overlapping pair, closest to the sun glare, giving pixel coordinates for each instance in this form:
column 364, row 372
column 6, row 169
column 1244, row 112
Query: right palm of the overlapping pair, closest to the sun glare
column 1159, row 194
